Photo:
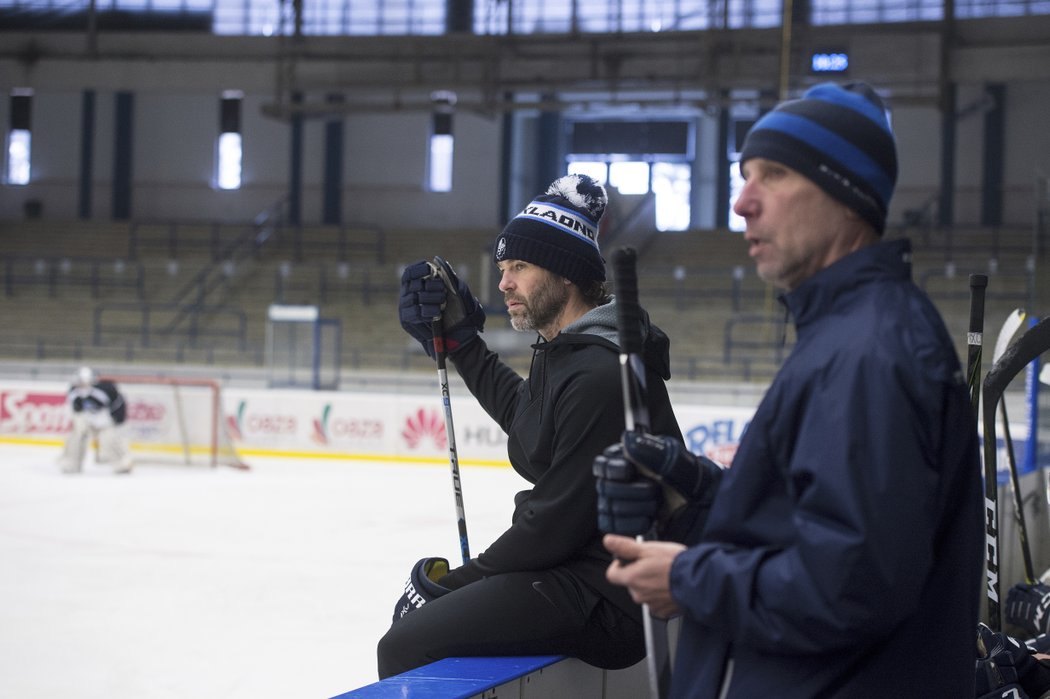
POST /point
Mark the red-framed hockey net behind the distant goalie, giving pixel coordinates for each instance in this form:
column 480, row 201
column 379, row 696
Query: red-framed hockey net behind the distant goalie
column 177, row 420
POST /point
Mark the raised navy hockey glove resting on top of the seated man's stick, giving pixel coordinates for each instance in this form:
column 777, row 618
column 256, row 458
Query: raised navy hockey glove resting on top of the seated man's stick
column 432, row 290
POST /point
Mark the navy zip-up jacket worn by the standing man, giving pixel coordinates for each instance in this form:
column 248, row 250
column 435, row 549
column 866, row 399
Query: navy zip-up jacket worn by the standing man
column 844, row 557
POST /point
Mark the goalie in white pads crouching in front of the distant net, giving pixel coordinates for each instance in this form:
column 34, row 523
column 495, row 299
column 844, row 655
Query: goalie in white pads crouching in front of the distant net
column 98, row 412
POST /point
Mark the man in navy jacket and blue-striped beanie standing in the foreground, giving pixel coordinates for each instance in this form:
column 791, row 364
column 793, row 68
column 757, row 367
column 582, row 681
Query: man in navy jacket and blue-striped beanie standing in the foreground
column 843, row 556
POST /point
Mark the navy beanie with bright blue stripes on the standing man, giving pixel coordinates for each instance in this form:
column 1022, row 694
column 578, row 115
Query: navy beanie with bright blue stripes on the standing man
column 838, row 137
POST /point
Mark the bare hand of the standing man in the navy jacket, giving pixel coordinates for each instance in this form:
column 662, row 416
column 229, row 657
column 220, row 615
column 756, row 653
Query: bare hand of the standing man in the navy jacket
column 645, row 569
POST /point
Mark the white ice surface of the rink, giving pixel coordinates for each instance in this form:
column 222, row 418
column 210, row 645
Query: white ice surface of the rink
column 192, row 583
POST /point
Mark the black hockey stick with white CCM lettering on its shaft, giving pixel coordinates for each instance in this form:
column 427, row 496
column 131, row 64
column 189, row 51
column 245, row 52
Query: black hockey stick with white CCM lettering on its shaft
column 1027, row 348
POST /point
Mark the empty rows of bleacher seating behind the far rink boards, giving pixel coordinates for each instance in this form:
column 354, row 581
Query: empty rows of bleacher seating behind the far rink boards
column 699, row 286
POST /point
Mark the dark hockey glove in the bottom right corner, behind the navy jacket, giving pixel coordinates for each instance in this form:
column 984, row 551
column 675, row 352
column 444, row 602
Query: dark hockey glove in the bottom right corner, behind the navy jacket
column 1005, row 665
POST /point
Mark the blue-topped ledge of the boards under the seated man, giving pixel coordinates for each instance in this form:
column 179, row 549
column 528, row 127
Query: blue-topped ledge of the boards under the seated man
column 485, row 677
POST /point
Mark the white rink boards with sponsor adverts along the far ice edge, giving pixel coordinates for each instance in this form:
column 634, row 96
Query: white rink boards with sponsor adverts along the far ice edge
column 346, row 426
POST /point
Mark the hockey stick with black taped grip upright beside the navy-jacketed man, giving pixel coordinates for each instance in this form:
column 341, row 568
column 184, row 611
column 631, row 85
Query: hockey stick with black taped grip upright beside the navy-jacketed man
column 633, row 373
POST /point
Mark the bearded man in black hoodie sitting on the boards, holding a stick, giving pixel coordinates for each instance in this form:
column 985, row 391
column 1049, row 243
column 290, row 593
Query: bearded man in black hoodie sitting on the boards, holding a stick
column 540, row 589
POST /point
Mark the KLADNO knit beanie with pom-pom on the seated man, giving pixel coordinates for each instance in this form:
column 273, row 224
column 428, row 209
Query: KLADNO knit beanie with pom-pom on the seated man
column 559, row 229
